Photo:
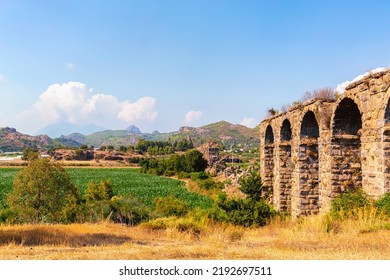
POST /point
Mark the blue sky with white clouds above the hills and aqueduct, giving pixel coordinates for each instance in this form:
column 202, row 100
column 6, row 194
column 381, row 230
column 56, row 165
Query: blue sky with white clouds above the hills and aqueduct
column 164, row 64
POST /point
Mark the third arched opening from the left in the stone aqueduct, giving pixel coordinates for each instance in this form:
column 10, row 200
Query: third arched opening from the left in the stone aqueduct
column 308, row 165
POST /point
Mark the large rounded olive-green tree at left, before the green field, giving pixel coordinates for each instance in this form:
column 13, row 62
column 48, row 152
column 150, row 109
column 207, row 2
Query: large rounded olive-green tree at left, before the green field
column 43, row 193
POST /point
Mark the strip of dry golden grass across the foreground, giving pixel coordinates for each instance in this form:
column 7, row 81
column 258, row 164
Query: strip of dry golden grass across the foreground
column 305, row 239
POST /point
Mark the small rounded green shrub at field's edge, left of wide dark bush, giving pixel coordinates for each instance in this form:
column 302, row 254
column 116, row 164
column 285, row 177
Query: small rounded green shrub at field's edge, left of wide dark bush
column 170, row 206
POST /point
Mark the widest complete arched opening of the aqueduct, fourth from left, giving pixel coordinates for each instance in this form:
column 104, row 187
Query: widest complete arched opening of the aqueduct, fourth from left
column 346, row 148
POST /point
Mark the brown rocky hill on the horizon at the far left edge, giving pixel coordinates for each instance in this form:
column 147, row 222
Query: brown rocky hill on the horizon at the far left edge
column 14, row 141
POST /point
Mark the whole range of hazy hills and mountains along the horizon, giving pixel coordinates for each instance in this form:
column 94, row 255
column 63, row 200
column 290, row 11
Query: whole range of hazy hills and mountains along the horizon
column 226, row 133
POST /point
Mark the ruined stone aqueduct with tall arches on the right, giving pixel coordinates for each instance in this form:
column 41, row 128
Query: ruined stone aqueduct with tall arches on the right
column 319, row 149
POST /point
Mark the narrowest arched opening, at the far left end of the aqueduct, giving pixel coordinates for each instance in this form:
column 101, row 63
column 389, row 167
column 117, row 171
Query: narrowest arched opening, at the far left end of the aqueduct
column 268, row 163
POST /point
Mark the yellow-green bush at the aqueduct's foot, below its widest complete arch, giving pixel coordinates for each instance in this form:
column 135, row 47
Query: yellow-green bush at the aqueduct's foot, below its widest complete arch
column 348, row 204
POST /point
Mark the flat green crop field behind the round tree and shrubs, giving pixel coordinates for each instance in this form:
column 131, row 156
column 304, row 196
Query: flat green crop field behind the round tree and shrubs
column 125, row 181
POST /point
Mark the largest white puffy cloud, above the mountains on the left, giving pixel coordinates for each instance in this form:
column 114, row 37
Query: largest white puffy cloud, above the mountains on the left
column 76, row 103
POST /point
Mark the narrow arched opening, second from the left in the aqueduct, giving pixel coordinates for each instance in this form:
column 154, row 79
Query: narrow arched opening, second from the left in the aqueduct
column 286, row 167
